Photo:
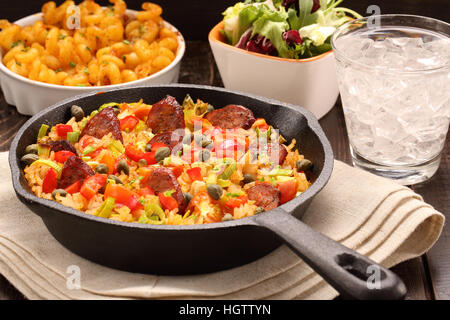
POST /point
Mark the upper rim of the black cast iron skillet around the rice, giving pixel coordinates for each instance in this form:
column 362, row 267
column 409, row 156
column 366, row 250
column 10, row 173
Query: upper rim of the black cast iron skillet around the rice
column 290, row 206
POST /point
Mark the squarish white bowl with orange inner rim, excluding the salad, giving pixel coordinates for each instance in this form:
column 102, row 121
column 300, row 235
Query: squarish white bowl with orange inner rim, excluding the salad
column 310, row 83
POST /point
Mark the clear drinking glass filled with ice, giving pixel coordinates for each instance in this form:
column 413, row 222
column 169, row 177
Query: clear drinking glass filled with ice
column 394, row 79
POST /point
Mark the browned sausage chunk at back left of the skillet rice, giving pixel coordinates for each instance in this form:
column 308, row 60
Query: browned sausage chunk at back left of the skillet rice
column 104, row 122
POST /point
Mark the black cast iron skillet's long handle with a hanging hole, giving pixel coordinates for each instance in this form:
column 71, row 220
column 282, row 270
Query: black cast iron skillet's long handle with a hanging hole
column 352, row 274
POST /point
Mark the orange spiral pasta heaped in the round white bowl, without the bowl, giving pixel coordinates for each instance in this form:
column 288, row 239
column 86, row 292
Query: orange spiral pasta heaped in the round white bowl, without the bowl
column 89, row 45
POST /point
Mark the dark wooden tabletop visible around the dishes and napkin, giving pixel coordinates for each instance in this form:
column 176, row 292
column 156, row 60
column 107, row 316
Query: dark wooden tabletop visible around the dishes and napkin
column 427, row 277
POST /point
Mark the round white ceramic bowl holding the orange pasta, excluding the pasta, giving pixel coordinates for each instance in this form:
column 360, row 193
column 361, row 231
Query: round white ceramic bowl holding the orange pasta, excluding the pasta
column 31, row 96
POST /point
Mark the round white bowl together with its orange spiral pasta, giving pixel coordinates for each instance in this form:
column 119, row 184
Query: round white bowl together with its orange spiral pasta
column 69, row 50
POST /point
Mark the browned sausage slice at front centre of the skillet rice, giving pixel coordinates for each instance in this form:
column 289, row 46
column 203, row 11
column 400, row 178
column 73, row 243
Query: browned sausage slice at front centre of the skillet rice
column 163, row 179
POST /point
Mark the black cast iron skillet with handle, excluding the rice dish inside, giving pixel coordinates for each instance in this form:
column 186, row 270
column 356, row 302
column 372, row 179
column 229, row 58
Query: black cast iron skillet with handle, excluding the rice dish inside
column 205, row 248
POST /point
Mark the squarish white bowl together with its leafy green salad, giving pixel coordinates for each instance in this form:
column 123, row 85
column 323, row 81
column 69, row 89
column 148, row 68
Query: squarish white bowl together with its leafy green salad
column 281, row 49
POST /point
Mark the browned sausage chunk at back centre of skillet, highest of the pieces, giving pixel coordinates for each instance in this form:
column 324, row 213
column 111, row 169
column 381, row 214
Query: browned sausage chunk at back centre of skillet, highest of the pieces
column 166, row 115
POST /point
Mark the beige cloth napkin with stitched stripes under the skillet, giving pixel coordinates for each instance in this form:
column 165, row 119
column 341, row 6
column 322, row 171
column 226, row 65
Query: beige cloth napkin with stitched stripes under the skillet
column 380, row 219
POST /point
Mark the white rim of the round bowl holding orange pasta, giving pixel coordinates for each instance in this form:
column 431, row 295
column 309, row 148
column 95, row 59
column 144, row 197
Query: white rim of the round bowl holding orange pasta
column 178, row 57
